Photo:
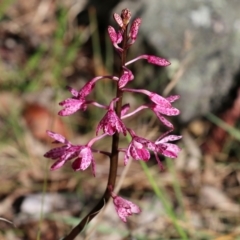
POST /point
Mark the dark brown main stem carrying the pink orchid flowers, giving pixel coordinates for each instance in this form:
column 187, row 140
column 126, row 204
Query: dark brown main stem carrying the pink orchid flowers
column 113, row 156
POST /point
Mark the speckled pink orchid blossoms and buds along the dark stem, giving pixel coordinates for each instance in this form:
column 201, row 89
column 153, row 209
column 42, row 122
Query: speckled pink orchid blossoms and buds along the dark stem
column 139, row 148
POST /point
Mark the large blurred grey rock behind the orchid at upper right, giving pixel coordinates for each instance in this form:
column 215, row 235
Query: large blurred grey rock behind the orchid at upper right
column 205, row 32
